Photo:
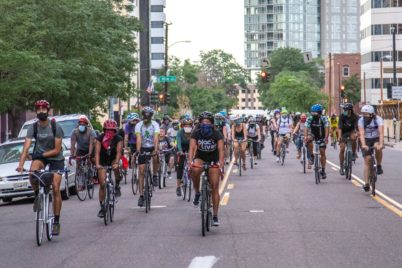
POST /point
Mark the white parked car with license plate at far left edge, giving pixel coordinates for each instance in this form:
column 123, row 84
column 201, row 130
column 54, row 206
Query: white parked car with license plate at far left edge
column 14, row 184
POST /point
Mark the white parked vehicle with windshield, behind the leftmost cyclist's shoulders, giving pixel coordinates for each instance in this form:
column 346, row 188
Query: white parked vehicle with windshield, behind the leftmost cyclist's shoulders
column 67, row 122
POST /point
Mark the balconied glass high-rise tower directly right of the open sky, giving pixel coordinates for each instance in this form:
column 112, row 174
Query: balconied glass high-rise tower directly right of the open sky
column 272, row 24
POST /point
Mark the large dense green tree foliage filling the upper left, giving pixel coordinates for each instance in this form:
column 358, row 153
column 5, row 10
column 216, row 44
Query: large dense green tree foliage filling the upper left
column 75, row 53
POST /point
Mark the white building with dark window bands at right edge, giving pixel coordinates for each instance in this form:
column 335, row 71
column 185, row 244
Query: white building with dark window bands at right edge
column 378, row 21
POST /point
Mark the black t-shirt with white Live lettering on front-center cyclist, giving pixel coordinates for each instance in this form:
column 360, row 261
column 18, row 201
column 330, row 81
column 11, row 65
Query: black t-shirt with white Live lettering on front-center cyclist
column 207, row 148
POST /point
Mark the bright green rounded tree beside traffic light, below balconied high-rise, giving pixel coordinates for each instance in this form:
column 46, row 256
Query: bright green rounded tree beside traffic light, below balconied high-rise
column 295, row 91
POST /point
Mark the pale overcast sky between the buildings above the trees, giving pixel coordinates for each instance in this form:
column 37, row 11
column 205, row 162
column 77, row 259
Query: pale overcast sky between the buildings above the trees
column 208, row 24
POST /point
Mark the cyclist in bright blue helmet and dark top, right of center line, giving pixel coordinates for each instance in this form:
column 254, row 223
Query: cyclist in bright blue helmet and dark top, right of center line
column 317, row 130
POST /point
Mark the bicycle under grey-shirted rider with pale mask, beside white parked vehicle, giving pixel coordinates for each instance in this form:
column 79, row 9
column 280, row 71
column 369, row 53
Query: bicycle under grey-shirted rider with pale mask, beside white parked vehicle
column 84, row 184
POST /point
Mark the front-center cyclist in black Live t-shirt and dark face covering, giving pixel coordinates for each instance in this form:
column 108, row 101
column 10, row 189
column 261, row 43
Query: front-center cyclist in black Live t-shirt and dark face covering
column 206, row 145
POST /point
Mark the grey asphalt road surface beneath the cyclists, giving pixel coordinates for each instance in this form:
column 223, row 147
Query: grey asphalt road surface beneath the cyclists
column 274, row 216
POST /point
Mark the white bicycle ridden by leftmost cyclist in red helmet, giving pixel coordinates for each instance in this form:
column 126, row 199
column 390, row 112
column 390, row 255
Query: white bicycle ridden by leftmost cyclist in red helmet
column 44, row 214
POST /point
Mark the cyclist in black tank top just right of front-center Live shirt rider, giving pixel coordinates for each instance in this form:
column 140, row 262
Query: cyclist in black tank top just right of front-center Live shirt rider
column 239, row 133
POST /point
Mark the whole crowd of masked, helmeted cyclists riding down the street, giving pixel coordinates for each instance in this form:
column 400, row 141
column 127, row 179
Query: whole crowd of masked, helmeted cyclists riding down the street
column 209, row 138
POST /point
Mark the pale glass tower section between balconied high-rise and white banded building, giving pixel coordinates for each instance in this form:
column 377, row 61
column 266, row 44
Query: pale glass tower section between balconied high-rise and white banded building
column 340, row 31
